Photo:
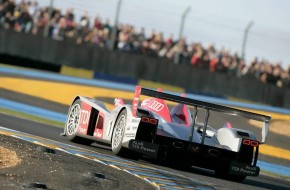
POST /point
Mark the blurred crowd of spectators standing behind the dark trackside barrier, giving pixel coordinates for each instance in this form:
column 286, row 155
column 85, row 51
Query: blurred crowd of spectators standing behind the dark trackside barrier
column 29, row 17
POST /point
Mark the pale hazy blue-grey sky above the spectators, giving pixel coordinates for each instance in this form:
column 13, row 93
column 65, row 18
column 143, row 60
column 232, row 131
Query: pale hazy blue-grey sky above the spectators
column 221, row 22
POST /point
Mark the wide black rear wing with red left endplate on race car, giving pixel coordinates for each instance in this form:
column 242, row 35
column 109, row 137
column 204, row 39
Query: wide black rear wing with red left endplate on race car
column 204, row 105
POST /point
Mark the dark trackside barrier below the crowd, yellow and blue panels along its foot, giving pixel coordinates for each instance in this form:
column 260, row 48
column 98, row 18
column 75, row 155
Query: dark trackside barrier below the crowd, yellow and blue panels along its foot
column 89, row 61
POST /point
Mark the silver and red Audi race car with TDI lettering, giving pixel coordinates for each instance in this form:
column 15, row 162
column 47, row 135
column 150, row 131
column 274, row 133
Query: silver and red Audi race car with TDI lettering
column 151, row 130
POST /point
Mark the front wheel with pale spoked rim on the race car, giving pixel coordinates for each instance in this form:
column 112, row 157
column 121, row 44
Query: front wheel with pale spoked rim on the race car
column 72, row 123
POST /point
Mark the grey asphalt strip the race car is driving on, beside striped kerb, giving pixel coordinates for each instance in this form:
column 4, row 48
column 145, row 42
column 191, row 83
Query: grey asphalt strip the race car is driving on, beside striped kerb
column 51, row 132
